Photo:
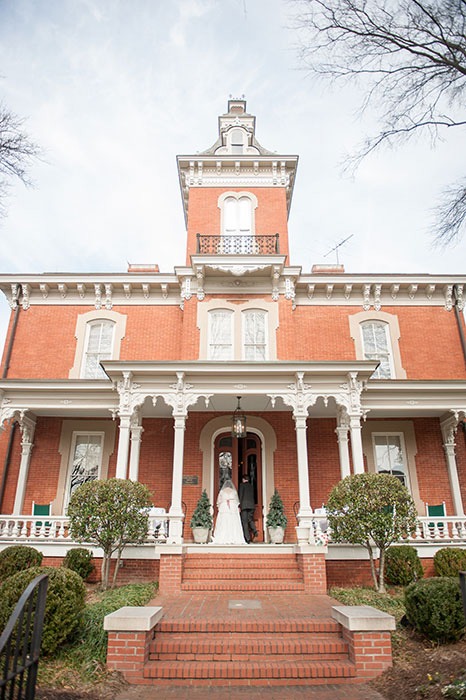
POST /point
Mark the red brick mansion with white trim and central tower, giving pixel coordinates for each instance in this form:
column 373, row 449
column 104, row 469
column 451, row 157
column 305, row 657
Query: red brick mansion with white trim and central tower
column 137, row 374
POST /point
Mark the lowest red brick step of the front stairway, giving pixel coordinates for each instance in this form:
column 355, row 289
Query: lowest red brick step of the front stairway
column 246, row 670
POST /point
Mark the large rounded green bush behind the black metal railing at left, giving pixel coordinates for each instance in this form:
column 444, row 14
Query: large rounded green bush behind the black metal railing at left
column 63, row 609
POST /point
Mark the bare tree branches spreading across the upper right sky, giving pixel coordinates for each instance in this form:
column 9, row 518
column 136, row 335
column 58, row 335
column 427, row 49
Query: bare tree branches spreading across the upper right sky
column 410, row 56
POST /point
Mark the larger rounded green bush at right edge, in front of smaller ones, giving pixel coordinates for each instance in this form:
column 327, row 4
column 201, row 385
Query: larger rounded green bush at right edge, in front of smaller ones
column 434, row 608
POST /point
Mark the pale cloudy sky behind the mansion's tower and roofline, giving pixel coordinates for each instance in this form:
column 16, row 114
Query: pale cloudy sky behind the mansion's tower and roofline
column 114, row 89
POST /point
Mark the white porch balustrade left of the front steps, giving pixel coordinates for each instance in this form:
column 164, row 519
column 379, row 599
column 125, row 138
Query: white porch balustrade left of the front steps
column 55, row 528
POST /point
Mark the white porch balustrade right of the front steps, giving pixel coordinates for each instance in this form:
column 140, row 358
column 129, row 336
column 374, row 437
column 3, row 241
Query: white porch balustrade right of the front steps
column 429, row 529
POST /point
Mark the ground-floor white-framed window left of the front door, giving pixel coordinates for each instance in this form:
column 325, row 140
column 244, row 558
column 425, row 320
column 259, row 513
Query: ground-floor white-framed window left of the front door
column 85, row 460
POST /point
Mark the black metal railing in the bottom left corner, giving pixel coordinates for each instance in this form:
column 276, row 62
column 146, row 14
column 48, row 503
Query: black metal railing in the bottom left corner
column 20, row 643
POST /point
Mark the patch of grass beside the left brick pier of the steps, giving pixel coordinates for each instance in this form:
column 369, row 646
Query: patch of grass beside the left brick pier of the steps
column 82, row 663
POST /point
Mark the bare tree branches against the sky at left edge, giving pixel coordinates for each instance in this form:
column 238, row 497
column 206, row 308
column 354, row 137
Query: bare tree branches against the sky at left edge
column 17, row 153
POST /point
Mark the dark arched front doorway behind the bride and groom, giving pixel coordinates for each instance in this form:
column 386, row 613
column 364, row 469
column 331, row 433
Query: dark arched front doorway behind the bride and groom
column 235, row 457
